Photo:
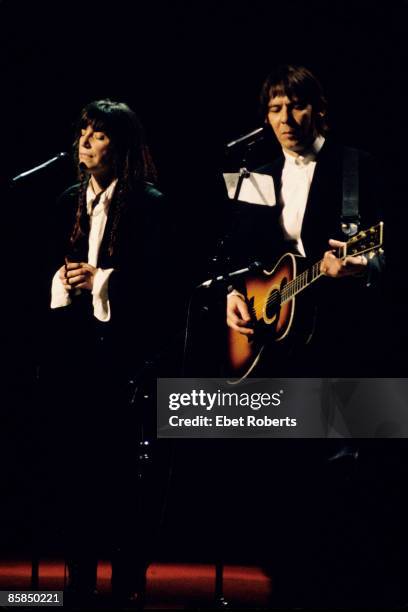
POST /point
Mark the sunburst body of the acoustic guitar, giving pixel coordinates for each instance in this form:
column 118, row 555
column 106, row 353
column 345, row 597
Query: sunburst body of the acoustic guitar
column 271, row 320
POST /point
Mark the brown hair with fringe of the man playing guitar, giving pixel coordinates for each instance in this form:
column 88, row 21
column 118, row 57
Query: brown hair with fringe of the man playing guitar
column 295, row 82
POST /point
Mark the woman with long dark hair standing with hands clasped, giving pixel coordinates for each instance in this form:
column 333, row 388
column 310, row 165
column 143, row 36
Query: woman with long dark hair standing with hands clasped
column 105, row 309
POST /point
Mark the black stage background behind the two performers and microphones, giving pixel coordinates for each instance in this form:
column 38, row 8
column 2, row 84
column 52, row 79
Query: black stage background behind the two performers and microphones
column 193, row 71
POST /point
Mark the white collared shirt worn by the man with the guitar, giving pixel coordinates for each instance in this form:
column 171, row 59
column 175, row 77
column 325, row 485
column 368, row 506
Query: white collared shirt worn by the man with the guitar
column 297, row 176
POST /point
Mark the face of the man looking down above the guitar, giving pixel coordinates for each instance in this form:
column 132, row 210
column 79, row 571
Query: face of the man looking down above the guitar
column 293, row 123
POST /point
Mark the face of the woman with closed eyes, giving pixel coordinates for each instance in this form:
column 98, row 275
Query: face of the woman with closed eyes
column 95, row 151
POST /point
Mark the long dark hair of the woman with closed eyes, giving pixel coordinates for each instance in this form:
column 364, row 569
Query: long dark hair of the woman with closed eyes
column 132, row 164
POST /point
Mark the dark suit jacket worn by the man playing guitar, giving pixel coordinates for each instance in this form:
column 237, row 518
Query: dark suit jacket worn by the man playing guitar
column 346, row 308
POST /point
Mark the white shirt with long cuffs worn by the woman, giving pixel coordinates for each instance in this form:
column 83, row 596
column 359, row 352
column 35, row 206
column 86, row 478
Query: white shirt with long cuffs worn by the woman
column 97, row 220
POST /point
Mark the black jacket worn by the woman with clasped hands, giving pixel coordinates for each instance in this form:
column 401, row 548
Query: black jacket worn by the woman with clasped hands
column 136, row 286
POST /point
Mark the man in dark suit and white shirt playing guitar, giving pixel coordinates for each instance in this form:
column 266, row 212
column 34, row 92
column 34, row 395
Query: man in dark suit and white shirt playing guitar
column 314, row 496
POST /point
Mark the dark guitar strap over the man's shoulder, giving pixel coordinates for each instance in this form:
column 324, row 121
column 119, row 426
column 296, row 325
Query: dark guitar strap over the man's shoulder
column 350, row 216
